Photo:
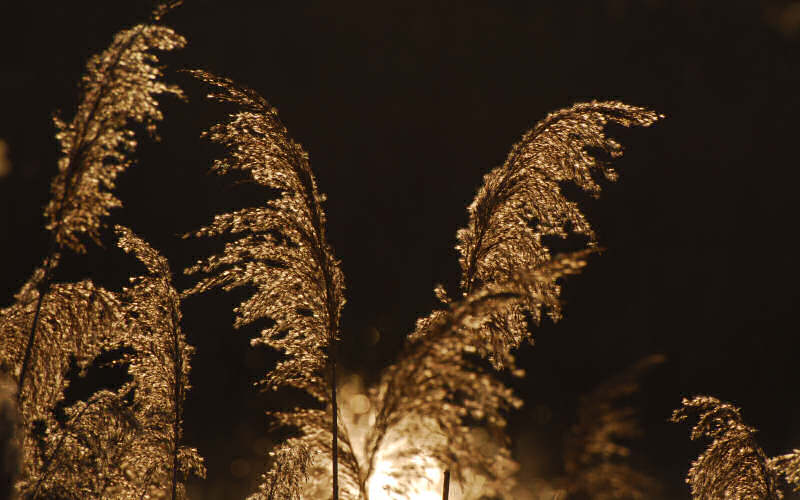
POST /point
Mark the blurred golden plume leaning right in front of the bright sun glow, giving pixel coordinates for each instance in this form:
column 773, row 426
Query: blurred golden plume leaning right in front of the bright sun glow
column 439, row 407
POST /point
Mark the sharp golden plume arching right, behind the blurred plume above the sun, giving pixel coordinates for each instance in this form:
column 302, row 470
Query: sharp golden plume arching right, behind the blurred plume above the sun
column 520, row 203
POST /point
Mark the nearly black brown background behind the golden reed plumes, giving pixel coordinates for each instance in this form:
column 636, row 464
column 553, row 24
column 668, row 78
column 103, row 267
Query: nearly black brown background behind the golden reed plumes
column 403, row 106
